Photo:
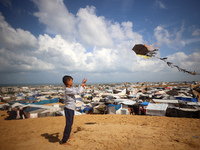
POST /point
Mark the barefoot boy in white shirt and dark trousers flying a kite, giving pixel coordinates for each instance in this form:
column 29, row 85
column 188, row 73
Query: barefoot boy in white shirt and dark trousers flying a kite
column 70, row 104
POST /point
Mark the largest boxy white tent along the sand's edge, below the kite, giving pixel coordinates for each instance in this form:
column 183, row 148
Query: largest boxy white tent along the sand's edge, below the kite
column 156, row 109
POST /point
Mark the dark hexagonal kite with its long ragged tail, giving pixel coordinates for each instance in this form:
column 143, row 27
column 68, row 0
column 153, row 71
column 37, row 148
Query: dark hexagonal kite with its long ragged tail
column 147, row 52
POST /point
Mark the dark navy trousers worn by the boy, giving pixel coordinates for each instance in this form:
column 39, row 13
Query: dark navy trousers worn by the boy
column 69, row 115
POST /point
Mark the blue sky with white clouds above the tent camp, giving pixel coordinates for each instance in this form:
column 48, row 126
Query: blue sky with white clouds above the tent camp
column 43, row 40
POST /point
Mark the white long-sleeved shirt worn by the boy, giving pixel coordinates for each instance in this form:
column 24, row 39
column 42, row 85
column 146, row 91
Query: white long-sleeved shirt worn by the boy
column 70, row 100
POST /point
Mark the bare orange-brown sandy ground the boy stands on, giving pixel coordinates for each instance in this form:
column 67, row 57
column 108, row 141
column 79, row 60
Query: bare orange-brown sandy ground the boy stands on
column 102, row 132
